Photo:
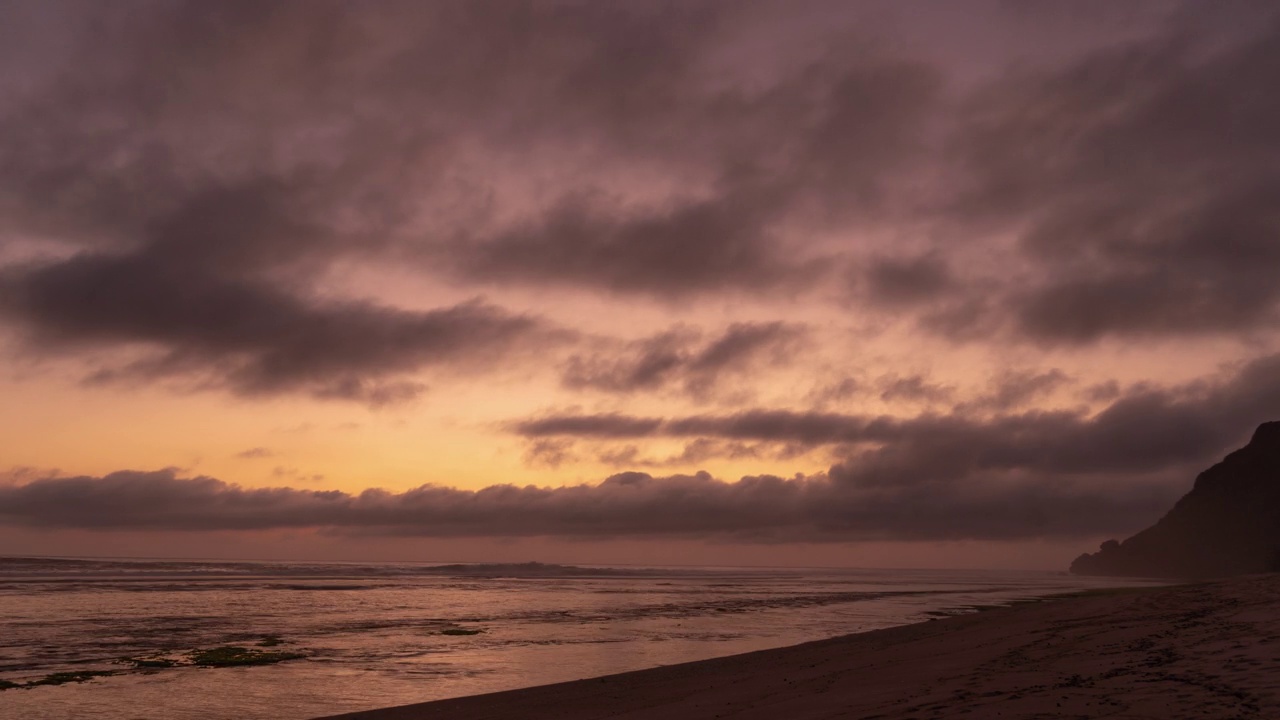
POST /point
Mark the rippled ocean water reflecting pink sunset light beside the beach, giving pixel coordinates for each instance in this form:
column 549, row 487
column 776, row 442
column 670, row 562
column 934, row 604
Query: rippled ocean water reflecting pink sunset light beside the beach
column 378, row 635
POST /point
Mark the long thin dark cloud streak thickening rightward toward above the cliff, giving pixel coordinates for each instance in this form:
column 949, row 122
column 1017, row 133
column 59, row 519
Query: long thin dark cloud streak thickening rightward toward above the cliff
column 1144, row 431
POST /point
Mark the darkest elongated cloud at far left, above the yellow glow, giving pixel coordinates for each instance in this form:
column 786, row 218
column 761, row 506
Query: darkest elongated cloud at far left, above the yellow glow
column 248, row 335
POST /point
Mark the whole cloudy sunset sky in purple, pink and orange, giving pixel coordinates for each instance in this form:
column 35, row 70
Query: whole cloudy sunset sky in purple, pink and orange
column 880, row 284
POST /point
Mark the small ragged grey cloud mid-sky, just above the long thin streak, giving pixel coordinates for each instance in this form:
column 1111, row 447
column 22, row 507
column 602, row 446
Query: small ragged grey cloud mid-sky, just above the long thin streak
column 685, row 359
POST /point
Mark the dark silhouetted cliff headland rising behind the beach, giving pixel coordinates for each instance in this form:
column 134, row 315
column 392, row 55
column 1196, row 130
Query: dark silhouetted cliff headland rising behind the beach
column 1228, row 525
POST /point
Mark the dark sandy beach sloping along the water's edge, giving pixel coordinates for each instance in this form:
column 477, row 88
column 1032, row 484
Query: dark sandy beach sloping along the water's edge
column 1208, row 650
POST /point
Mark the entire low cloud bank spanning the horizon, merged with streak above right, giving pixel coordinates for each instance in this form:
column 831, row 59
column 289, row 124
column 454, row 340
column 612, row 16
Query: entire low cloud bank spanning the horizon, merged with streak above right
column 1032, row 475
